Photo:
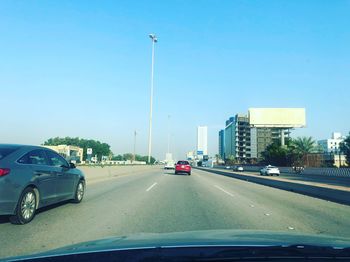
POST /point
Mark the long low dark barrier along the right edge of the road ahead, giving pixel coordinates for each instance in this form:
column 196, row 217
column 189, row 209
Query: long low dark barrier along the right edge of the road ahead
column 329, row 194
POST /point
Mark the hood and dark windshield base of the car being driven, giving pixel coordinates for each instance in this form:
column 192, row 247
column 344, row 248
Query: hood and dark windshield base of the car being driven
column 211, row 245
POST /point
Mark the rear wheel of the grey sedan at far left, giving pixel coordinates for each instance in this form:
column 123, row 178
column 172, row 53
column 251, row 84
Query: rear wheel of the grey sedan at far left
column 26, row 207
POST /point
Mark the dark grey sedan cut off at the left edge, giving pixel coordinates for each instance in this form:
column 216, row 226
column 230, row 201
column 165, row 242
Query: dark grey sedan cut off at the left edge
column 32, row 177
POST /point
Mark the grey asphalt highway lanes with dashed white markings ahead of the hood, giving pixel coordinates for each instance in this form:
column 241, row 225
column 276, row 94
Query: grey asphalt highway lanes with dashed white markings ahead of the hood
column 159, row 201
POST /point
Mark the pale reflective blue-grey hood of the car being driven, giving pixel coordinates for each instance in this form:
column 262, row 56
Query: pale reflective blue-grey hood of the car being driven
column 244, row 238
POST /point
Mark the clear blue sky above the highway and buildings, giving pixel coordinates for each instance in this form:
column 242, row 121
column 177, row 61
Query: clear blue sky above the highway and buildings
column 82, row 68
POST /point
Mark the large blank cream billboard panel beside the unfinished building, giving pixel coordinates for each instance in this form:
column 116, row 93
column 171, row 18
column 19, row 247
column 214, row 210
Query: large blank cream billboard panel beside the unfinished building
column 277, row 117
